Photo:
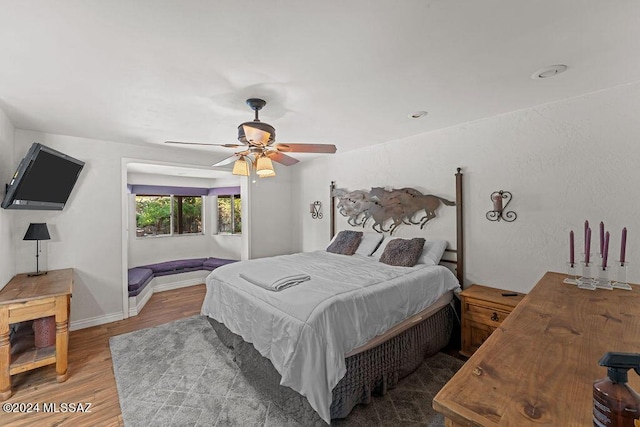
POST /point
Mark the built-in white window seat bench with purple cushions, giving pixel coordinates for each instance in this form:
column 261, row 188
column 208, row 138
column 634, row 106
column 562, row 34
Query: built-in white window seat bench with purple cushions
column 192, row 272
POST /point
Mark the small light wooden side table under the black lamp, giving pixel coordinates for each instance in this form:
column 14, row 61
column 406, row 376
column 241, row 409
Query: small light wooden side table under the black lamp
column 27, row 298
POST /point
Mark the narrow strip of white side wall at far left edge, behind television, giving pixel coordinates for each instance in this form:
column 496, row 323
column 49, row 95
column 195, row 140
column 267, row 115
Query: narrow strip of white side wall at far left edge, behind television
column 7, row 168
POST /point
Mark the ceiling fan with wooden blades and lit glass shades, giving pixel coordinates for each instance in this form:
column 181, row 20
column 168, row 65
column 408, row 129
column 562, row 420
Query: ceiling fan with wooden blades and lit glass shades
column 259, row 148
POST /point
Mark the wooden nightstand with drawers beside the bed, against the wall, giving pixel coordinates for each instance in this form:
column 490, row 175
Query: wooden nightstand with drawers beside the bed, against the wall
column 483, row 309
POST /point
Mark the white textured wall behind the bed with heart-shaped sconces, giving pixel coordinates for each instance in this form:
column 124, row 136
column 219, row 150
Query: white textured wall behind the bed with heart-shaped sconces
column 564, row 162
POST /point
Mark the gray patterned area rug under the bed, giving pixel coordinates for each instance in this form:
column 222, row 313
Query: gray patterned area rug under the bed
column 180, row 374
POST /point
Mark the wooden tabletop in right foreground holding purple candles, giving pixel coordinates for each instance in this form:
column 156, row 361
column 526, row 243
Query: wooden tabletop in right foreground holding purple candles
column 538, row 366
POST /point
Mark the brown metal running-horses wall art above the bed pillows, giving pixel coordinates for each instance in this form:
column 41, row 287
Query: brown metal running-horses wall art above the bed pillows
column 400, row 206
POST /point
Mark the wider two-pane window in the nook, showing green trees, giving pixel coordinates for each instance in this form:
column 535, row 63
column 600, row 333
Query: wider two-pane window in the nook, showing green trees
column 168, row 215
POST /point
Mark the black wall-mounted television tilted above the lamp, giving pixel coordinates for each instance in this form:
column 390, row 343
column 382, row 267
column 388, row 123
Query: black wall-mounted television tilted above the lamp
column 43, row 181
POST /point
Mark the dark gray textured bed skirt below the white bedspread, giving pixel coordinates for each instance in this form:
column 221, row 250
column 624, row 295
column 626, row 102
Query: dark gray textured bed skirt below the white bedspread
column 371, row 372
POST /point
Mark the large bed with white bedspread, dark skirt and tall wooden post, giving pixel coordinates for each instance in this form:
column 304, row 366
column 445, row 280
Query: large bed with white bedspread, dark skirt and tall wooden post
column 354, row 326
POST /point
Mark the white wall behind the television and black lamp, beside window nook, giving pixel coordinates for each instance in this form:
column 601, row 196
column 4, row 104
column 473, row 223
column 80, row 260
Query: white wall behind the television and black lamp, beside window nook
column 87, row 234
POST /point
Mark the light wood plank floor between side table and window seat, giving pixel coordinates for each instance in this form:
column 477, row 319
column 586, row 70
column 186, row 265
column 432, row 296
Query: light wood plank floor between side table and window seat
column 91, row 377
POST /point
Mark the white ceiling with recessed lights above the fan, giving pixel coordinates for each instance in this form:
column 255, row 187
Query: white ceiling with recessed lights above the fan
column 345, row 73
